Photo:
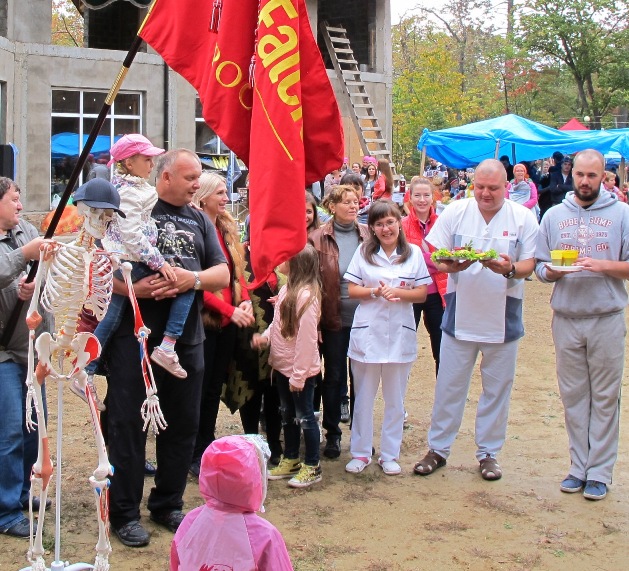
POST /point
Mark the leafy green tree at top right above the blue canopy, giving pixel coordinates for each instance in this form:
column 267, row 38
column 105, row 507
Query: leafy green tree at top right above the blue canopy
column 589, row 38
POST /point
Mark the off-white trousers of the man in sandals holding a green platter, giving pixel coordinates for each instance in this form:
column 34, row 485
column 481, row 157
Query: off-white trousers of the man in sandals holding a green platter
column 456, row 364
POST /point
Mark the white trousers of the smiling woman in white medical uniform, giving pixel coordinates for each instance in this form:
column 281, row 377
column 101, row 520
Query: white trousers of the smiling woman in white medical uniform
column 366, row 381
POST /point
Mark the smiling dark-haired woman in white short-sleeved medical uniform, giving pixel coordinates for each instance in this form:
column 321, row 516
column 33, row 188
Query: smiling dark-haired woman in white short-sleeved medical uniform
column 387, row 275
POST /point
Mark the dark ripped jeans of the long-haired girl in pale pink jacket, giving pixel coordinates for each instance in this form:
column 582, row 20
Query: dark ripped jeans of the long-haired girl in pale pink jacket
column 297, row 415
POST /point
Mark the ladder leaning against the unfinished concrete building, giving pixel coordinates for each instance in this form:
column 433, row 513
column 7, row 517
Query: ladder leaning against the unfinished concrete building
column 370, row 135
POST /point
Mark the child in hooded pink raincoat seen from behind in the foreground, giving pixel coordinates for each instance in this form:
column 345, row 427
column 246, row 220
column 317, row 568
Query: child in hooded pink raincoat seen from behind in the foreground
column 226, row 533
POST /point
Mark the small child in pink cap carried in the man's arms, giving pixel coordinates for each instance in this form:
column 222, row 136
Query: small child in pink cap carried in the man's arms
column 134, row 239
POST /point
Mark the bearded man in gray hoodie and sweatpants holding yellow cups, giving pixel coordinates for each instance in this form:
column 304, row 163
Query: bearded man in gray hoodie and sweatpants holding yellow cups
column 588, row 319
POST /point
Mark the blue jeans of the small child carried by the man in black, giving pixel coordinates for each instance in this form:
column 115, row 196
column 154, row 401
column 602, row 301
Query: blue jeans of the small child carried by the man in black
column 179, row 310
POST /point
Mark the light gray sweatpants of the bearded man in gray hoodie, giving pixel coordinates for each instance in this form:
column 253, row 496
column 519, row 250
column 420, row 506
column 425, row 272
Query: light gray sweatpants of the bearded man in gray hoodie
column 590, row 359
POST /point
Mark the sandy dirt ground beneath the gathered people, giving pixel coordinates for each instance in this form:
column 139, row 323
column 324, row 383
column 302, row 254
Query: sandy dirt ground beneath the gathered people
column 451, row 520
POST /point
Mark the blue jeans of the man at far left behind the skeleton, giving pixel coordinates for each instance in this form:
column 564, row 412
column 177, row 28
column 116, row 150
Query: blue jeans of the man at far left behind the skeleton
column 18, row 447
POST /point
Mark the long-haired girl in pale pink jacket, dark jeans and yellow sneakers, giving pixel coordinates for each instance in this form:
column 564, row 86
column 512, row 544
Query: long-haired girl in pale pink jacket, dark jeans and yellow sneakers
column 296, row 363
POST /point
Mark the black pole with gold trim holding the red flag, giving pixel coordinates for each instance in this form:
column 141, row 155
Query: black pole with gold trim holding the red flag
column 78, row 167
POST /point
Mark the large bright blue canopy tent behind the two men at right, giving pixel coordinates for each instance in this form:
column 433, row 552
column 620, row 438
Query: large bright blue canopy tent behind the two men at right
column 518, row 138
